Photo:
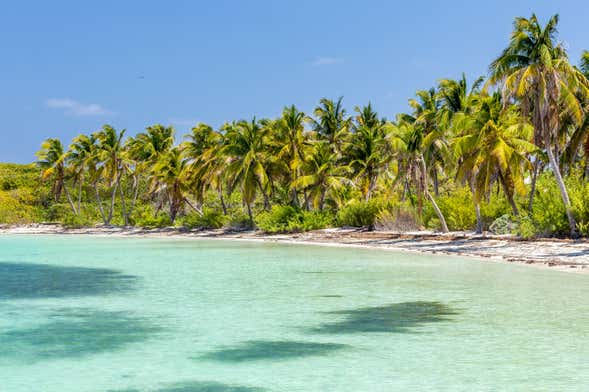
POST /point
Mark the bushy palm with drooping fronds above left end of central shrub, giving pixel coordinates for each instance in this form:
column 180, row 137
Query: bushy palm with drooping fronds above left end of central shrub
column 247, row 159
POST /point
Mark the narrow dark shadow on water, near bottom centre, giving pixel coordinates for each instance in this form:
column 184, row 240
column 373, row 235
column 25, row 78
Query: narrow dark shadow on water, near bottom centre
column 256, row 350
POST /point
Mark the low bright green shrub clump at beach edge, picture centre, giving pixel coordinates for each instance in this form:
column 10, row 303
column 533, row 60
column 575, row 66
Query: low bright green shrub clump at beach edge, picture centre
column 283, row 219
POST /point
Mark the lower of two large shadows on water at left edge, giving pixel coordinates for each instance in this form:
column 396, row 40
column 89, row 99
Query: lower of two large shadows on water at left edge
column 76, row 333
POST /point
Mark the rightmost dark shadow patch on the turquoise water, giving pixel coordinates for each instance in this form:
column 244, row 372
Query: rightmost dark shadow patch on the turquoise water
column 395, row 318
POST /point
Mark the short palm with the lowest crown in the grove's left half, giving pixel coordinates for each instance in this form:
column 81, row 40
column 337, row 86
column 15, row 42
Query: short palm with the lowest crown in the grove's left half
column 170, row 176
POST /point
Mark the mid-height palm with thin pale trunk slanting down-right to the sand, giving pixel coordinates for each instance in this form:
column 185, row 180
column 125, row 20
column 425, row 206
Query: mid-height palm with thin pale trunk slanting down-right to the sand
column 409, row 142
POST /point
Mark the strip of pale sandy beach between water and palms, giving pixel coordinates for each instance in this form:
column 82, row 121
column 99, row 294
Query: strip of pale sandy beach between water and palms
column 553, row 254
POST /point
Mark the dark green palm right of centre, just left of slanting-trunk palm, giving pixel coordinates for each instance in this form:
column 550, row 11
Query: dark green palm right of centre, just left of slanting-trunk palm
column 368, row 149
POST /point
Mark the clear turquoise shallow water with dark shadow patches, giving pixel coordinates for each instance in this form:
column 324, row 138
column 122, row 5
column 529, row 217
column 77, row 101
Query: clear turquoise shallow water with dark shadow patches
column 129, row 314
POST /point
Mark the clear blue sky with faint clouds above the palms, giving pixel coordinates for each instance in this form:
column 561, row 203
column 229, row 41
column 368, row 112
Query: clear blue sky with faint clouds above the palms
column 69, row 67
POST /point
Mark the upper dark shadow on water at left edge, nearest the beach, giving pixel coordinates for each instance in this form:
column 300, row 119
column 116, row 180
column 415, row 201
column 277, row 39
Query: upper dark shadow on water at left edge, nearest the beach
column 30, row 281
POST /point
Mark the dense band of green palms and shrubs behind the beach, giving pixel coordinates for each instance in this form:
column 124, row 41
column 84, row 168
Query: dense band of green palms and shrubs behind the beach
column 509, row 153
